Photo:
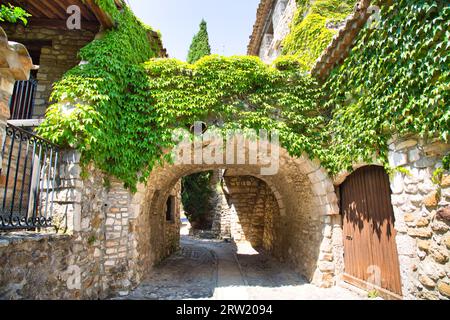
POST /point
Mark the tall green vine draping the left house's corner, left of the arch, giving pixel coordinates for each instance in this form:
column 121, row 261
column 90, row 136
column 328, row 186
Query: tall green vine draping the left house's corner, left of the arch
column 102, row 107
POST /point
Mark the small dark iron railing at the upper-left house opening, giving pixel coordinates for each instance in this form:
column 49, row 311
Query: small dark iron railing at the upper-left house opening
column 22, row 100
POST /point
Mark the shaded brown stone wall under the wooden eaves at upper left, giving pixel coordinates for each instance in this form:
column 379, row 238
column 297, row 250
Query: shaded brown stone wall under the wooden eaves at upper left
column 58, row 55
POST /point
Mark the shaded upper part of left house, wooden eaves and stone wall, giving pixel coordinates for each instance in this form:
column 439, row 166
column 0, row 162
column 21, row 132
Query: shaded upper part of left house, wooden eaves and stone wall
column 54, row 44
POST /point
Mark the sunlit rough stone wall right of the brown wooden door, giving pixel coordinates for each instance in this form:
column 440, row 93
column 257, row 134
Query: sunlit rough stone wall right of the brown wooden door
column 421, row 200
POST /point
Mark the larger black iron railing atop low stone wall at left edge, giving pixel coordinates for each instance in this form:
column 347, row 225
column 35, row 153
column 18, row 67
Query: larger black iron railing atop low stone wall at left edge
column 28, row 178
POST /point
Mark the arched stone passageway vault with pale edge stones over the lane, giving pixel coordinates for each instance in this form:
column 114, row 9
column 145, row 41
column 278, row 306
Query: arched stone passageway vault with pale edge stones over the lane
column 302, row 228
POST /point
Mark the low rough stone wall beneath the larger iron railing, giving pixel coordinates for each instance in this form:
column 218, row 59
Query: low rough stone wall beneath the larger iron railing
column 34, row 266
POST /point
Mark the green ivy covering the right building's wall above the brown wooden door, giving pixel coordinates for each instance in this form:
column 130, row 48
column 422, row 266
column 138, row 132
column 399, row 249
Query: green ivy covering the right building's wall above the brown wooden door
column 396, row 81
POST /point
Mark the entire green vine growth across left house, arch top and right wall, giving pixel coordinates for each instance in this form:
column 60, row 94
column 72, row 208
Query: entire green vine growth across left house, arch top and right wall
column 120, row 107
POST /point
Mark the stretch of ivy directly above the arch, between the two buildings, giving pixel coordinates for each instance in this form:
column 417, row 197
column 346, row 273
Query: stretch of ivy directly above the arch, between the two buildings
column 239, row 93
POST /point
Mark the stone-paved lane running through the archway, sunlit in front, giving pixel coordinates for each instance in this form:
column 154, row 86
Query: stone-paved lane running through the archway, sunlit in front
column 215, row 270
